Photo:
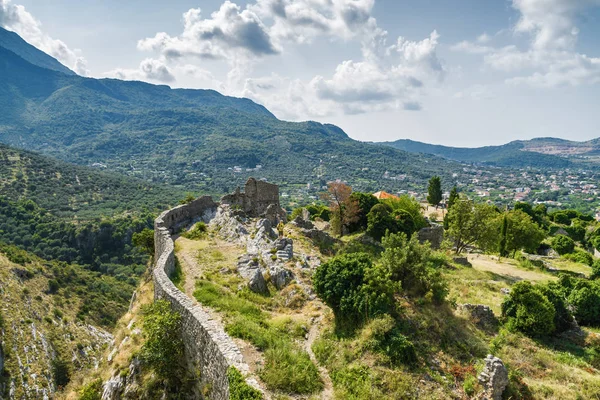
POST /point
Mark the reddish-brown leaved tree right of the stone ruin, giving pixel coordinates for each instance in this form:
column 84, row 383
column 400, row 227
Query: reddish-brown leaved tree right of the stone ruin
column 344, row 210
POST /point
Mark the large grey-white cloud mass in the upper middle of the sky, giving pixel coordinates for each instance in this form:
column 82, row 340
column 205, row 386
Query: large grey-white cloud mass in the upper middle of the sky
column 387, row 76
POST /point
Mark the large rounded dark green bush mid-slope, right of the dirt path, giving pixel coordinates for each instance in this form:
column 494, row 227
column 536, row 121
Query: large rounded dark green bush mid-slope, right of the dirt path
column 353, row 287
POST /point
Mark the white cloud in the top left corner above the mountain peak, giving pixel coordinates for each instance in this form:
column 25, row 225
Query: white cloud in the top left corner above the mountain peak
column 14, row 17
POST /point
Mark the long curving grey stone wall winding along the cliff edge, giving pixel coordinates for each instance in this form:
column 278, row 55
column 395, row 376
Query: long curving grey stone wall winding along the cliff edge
column 208, row 349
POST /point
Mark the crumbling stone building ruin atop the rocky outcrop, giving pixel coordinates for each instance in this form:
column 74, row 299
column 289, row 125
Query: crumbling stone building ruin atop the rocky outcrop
column 255, row 199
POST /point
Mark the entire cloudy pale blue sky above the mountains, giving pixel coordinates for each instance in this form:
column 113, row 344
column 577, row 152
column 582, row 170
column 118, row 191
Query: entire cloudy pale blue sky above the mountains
column 460, row 72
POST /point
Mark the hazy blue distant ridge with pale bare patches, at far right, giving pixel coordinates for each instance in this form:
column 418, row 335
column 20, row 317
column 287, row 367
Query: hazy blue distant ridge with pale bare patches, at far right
column 538, row 152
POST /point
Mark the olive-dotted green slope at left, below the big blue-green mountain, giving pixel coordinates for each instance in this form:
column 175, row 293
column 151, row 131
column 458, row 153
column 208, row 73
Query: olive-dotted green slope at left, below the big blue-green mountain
column 68, row 190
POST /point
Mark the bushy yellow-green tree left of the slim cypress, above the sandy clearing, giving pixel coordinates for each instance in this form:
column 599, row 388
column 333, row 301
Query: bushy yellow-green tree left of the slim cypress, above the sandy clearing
column 470, row 224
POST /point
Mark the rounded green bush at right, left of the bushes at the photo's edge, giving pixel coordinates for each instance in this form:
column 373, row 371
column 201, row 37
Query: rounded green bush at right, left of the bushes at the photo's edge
column 529, row 311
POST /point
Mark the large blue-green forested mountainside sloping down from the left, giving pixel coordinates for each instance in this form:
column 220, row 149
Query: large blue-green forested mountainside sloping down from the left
column 197, row 138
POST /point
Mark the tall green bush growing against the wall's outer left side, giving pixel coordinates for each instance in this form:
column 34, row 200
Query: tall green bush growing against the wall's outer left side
column 163, row 348
